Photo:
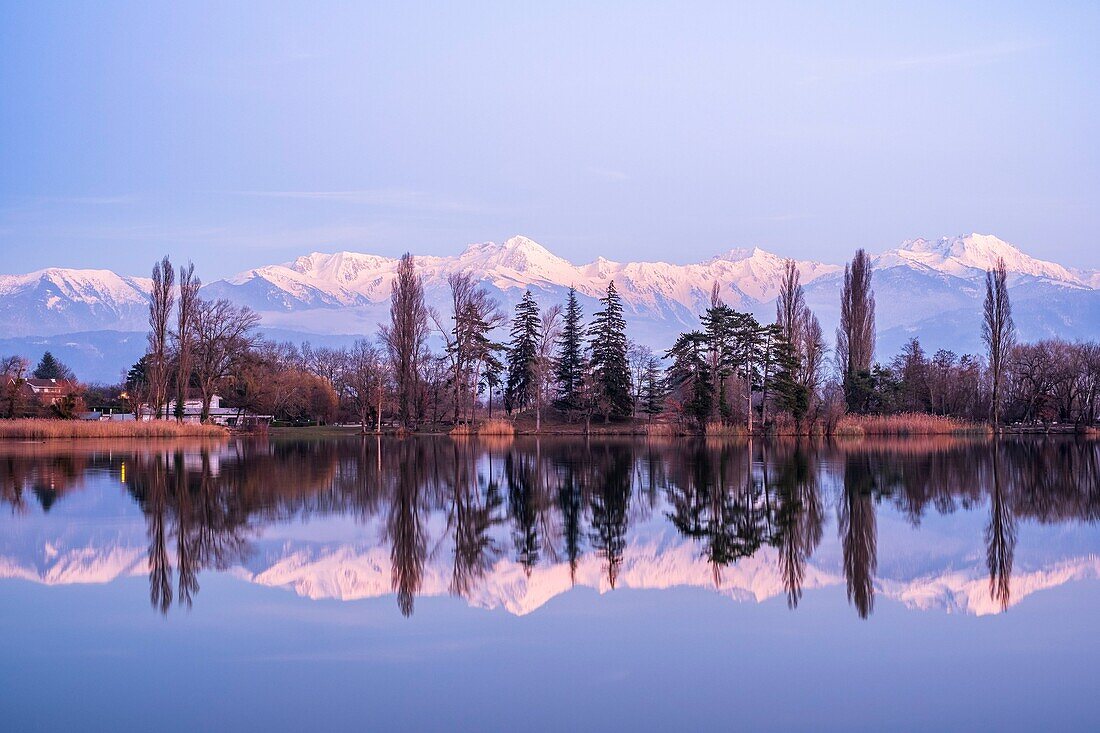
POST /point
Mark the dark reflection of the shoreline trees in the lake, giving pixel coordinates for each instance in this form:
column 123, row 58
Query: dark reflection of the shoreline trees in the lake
column 553, row 501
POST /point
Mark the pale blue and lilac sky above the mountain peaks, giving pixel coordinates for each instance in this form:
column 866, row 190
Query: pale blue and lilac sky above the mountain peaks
column 240, row 135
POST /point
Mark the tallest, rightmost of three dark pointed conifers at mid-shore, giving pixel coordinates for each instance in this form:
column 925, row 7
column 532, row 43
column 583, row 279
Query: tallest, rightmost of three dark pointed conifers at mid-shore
column 611, row 369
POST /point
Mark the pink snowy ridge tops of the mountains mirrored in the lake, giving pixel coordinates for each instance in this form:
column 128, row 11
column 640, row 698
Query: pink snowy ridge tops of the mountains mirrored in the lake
column 349, row 572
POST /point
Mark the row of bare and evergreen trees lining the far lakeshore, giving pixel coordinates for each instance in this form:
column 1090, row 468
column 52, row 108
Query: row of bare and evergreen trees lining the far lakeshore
column 732, row 374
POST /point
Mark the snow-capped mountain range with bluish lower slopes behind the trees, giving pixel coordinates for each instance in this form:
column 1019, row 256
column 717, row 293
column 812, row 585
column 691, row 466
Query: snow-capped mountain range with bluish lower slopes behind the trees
column 931, row 289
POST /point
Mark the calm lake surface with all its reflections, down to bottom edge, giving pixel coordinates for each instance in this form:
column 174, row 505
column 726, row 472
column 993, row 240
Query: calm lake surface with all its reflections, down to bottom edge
column 551, row 585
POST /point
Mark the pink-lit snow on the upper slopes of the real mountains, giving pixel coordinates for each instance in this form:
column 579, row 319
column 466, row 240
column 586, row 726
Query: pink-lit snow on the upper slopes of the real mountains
column 745, row 277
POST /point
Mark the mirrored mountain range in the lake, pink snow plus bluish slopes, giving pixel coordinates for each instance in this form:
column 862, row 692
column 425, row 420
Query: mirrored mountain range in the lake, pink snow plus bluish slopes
column 655, row 559
